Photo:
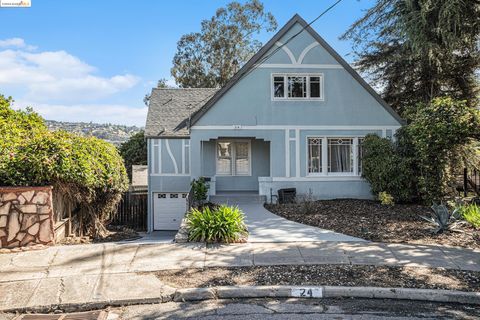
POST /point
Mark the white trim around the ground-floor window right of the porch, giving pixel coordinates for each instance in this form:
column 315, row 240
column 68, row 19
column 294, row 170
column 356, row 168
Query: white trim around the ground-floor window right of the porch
column 324, row 163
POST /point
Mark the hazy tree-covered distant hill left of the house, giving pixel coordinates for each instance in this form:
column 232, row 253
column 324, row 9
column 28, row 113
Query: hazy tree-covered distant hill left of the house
column 113, row 133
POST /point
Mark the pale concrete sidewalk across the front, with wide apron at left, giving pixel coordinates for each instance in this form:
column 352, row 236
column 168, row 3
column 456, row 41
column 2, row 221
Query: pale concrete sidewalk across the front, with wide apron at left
column 102, row 272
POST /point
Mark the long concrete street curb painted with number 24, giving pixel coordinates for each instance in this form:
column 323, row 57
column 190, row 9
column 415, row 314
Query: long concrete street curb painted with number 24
column 251, row 292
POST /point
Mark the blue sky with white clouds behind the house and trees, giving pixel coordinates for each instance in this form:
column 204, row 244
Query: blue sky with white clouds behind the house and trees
column 91, row 60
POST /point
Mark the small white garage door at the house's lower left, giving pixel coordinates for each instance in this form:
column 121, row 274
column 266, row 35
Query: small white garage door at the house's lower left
column 168, row 210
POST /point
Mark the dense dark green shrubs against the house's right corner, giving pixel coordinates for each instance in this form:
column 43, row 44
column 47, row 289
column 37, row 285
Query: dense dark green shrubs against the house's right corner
column 418, row 165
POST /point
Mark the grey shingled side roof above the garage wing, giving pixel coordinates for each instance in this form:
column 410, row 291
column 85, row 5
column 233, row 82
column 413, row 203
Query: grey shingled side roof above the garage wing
column 170, row 109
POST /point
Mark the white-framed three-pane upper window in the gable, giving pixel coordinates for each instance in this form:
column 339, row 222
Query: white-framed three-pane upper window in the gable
column 297, row 86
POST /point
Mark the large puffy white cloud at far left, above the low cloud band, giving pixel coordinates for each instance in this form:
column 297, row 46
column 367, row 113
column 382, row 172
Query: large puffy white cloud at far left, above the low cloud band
column 56, row 76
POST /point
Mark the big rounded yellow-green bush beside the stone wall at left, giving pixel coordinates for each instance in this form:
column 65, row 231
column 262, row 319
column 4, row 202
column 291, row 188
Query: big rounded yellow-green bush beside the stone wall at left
column 87, row 172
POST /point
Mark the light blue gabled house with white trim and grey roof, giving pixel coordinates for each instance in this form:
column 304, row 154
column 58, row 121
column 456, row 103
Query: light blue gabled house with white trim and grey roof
column 293, row 117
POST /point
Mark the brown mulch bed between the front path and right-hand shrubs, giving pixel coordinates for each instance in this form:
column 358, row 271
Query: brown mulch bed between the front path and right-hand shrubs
column 372, row 221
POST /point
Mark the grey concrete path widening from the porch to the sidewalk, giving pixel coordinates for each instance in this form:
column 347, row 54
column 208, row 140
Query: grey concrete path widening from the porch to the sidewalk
column 265, row 226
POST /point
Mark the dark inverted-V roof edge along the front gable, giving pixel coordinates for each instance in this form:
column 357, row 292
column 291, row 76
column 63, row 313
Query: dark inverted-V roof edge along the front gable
column 252, row 63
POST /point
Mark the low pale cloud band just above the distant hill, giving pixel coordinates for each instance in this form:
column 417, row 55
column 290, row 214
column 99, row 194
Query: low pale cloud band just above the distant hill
column 98, row 113
